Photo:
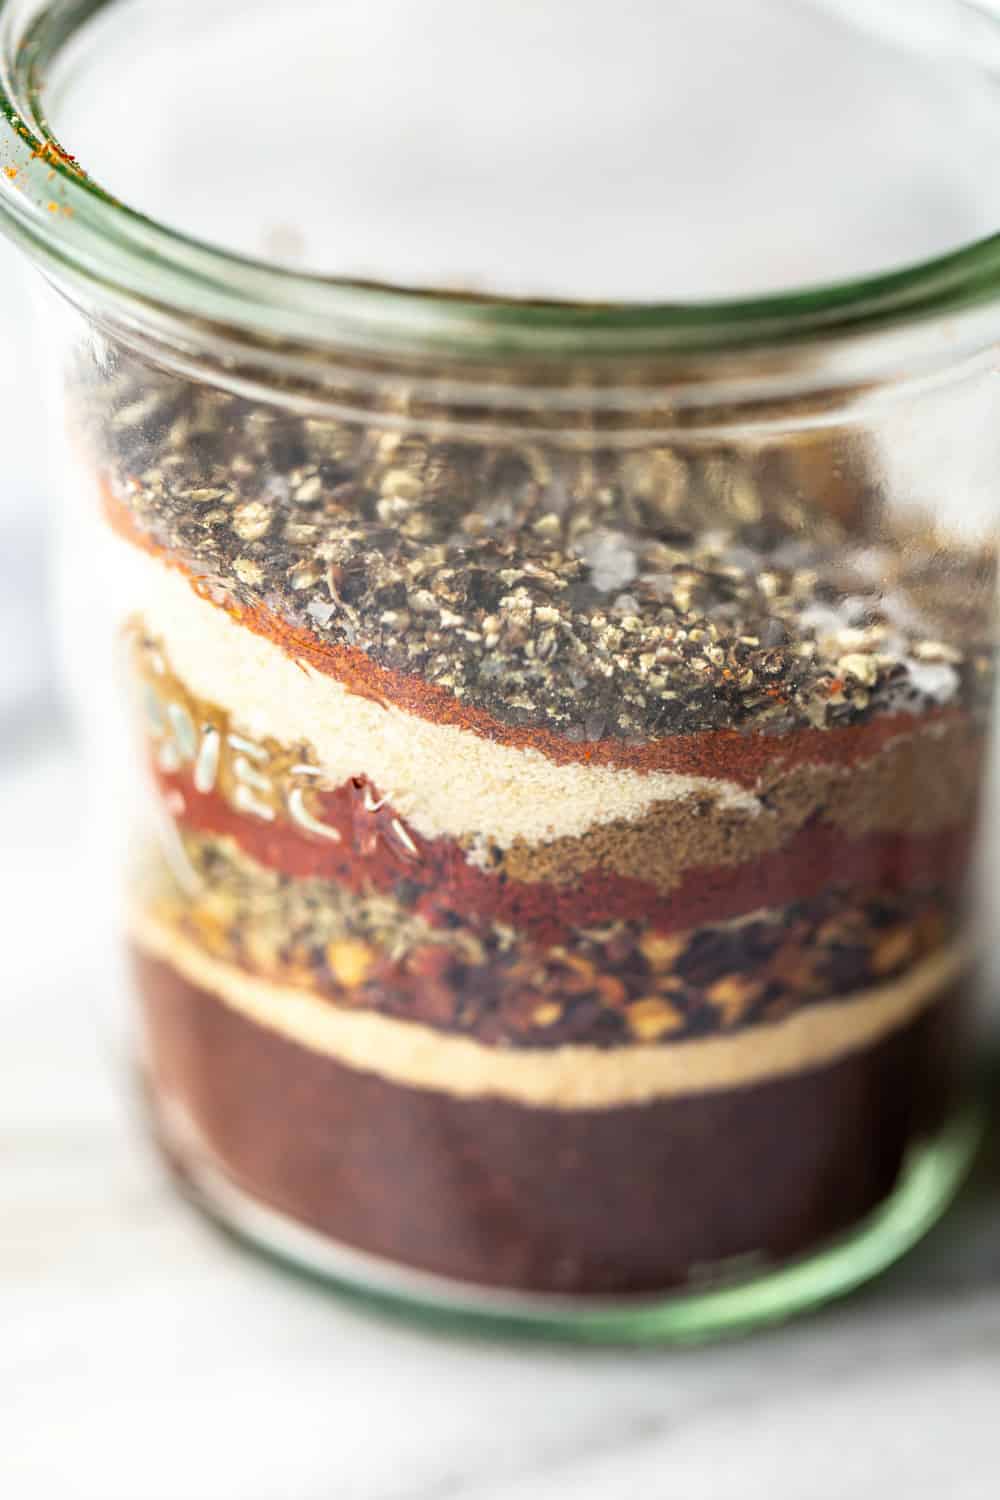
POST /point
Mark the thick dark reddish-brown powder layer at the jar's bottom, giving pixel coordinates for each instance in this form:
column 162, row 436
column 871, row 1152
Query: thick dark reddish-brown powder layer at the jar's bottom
column 500, row 1195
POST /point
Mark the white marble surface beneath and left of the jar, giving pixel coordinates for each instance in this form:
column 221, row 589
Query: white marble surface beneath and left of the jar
column 146, row 1358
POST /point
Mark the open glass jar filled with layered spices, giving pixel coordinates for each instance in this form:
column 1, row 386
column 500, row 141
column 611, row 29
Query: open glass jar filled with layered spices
column 548, row 746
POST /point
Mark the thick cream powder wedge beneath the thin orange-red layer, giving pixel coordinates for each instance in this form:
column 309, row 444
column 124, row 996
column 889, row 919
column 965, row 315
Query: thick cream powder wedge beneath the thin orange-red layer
column 446, row 782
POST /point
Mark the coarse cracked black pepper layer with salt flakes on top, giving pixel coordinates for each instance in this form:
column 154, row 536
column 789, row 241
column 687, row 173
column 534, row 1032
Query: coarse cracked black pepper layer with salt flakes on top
column 608, row 596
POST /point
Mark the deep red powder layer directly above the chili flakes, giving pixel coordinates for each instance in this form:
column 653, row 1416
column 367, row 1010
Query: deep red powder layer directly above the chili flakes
column 443, row 886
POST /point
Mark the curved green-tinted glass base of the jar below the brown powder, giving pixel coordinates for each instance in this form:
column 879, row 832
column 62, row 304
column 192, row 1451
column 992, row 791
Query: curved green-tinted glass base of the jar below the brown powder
column 929, row 1181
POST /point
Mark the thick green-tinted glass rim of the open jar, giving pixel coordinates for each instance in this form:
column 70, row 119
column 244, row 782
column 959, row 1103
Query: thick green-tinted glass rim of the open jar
column 79, row 232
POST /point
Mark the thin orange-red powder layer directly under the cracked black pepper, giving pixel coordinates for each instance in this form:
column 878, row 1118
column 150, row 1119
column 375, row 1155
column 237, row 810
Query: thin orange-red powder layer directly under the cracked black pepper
column 720, row 754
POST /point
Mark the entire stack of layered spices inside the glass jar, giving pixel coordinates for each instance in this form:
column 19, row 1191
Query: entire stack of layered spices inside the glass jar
column 561, row 842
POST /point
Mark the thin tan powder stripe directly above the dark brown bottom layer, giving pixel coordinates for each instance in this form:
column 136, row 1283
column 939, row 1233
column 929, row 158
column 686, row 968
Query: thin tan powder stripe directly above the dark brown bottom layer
column 564, row 1078
